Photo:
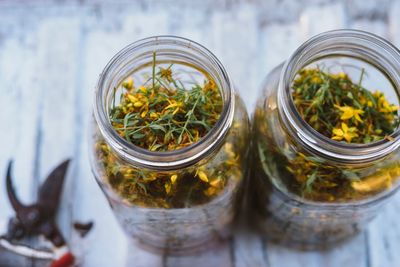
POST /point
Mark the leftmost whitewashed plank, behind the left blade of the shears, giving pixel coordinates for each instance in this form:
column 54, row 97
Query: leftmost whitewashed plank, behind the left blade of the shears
column 19, row 115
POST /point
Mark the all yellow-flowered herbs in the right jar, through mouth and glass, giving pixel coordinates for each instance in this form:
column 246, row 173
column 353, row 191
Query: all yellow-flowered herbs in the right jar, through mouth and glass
column 344, row 111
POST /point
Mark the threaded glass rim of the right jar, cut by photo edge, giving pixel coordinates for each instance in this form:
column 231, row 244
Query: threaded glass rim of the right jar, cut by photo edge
column 348, row 43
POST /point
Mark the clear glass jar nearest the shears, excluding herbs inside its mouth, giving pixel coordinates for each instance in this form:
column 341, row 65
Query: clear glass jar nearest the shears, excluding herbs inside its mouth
column 163, row 221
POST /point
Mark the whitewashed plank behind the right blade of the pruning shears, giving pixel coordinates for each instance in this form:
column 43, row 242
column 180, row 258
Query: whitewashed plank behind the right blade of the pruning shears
column 57, row 71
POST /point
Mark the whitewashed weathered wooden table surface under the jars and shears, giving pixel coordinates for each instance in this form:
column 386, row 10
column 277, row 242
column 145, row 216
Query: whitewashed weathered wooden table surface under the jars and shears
column 51, row 54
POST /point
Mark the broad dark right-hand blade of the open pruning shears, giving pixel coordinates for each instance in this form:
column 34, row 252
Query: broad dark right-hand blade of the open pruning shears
column 50, row 191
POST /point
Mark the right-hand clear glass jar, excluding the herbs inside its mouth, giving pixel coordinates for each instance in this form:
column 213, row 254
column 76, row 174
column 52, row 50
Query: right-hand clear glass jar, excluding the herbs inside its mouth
column 284, row 143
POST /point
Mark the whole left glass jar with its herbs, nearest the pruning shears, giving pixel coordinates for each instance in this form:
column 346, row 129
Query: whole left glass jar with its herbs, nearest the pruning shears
column 169, row 143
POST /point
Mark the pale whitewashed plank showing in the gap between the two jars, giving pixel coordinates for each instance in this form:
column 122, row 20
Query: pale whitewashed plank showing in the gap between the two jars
column 235, row 42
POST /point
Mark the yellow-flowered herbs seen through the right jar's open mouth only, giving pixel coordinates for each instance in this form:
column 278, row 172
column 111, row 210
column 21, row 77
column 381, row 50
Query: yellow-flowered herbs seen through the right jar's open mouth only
column 340, row 109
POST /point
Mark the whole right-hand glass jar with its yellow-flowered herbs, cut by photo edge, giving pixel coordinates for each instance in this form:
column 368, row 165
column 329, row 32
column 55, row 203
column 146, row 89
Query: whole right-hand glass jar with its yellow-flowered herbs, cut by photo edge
column 326, row 135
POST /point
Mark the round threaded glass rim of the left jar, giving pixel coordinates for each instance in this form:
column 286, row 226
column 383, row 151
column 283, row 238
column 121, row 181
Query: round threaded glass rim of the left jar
column 140, row 53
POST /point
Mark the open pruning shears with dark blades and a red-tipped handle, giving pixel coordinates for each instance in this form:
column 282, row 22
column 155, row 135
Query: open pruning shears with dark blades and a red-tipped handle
column 39, row 219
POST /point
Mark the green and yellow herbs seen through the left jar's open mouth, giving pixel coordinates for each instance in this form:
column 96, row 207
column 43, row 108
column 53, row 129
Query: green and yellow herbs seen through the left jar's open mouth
column 165, row 116
